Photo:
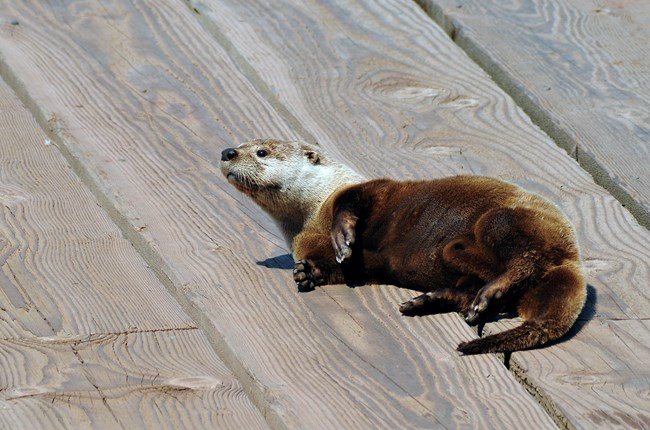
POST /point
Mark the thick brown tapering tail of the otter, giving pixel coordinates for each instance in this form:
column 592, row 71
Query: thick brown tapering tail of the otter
column 550, row 310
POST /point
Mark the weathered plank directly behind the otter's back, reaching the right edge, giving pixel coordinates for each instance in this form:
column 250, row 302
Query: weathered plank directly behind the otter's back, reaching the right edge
column 487, row 131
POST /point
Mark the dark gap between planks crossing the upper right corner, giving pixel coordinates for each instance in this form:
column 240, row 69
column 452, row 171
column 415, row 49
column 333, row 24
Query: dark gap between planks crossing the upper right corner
column 535, row 113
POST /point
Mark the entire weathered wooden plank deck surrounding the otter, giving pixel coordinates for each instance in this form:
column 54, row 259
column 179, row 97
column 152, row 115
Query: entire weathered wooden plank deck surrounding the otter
column 140, row 290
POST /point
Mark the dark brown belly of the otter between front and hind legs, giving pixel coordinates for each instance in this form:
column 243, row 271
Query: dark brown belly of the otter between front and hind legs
column 408, row 227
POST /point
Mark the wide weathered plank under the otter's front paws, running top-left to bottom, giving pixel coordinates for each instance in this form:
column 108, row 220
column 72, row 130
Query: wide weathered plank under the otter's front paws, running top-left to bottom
column 305, row 358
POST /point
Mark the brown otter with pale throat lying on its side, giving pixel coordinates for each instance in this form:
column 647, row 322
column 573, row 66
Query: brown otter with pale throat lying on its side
column 472, row 244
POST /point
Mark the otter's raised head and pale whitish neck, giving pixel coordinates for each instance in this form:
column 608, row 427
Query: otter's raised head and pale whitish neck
column 289, row 179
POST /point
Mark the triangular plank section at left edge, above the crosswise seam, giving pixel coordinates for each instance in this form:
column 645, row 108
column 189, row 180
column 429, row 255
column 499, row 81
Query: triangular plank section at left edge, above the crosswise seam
column 65, row 267
